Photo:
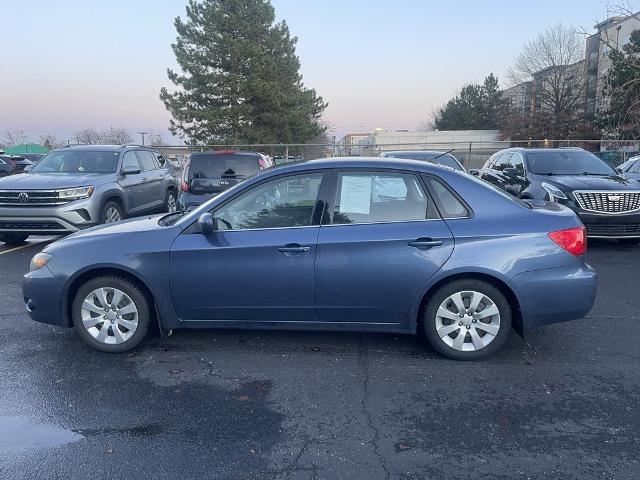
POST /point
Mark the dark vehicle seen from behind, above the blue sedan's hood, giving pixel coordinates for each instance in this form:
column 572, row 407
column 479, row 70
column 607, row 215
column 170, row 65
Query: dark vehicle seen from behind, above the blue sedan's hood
column 206, row 174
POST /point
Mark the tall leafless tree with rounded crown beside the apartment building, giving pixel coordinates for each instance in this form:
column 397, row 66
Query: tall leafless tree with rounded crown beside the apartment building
column 554, row 61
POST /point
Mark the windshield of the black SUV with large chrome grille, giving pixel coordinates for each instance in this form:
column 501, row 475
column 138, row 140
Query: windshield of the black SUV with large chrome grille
column 567, row 163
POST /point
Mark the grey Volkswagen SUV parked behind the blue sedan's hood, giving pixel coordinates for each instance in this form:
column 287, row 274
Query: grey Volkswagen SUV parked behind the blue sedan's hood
column 81, row 186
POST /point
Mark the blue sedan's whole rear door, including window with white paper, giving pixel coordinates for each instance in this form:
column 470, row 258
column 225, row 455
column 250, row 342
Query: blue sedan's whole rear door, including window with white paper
column 381, row 242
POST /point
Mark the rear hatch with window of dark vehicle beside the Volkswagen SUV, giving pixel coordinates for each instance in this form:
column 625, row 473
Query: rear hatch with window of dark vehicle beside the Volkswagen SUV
column 214, row 172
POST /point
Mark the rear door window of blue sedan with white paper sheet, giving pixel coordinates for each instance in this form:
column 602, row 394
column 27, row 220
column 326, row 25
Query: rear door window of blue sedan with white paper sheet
column 379, row 197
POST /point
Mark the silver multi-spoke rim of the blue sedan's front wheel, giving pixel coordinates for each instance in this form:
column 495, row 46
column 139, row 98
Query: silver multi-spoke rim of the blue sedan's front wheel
column 109, row 315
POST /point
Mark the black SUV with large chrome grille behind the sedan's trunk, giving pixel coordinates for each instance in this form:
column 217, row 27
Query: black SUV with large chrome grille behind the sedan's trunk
column 606, row 202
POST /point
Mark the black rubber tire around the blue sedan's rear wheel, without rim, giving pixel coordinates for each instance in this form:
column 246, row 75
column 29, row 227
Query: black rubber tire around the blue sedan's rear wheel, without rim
column 434, row 302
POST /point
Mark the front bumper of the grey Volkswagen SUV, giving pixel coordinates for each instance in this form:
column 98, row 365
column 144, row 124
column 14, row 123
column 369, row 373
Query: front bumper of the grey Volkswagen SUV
column 56, row 220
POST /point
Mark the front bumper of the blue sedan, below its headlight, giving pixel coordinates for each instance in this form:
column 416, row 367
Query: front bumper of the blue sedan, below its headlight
column 43, row 297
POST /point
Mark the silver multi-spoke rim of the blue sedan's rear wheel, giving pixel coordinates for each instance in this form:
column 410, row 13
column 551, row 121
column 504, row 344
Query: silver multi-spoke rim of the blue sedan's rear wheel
column 467, row 321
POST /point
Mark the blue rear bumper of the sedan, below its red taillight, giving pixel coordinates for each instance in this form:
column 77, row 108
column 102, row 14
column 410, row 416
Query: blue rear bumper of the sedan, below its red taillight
column 555, row 295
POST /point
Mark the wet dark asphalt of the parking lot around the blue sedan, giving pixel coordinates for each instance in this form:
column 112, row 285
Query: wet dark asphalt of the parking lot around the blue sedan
column 233, row 404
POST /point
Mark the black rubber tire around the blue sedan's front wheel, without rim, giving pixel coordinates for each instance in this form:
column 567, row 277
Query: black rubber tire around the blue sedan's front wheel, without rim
column 142, row 303
